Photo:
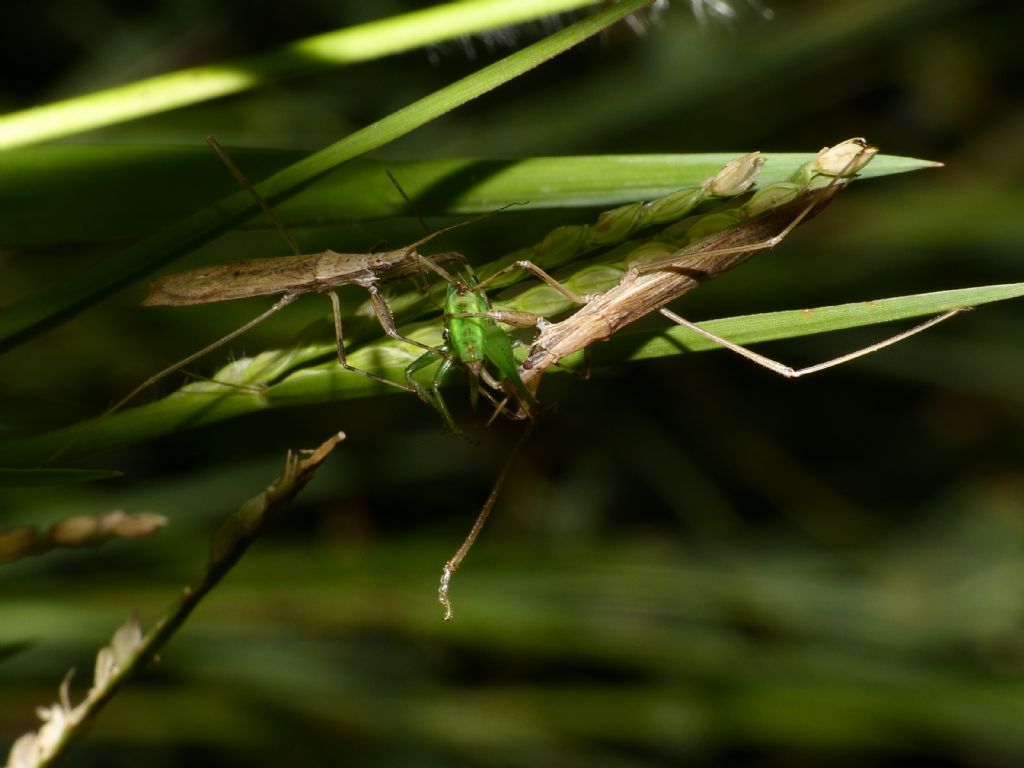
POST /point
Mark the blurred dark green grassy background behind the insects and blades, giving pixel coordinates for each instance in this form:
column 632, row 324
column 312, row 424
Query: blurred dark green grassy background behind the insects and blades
column 696, row 562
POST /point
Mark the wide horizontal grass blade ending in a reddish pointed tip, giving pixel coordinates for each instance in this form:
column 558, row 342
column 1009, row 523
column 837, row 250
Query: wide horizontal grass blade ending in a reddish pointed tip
column 151, row 187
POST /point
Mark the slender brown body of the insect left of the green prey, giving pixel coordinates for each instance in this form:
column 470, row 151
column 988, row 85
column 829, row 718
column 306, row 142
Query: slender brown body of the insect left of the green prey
column 316, row 273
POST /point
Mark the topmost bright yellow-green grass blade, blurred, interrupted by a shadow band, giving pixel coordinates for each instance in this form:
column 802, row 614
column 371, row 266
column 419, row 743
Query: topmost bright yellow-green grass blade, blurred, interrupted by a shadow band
column 338, row 49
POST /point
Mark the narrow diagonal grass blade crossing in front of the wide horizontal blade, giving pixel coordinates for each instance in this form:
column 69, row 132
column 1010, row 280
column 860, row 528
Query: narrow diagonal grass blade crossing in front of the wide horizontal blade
column 71, row 295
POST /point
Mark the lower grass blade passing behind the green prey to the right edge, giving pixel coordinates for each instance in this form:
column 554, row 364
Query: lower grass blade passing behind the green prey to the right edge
column 206, row 404
